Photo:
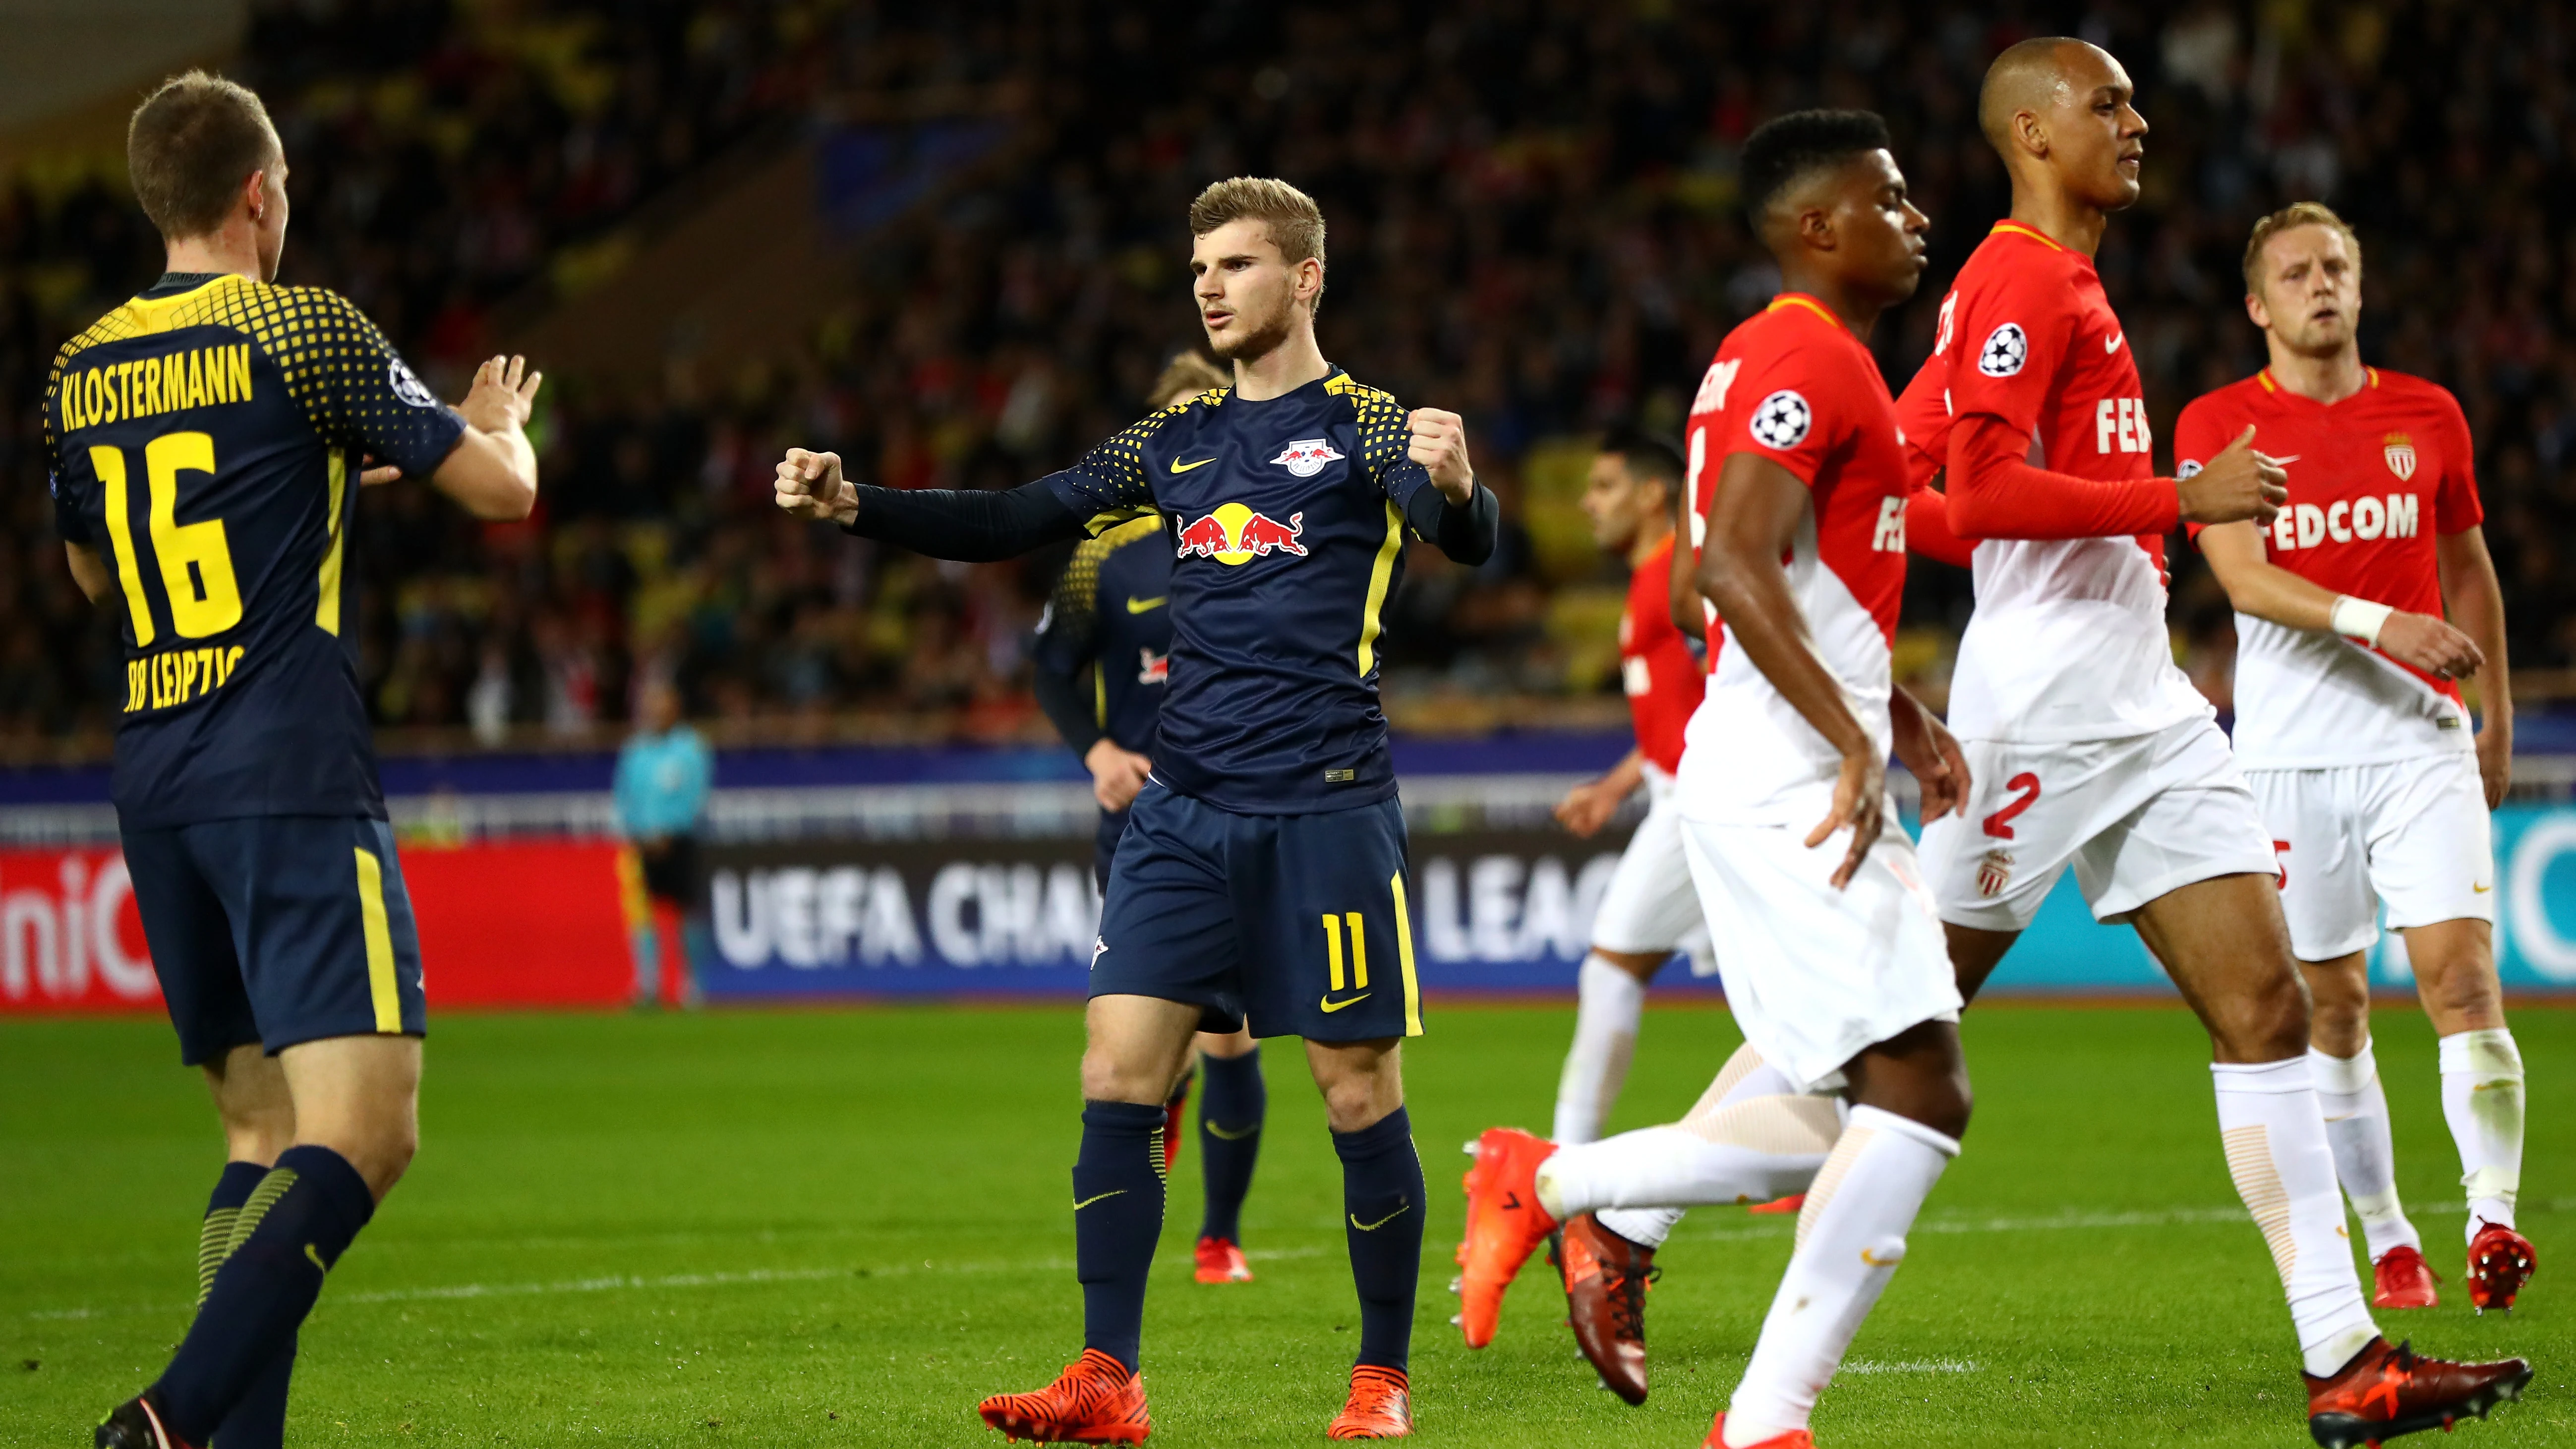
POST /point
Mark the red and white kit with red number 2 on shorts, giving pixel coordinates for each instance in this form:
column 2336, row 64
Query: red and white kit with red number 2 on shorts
column 2085, row 743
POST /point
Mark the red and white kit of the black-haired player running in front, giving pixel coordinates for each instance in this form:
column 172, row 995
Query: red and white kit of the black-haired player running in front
column 1812, row 974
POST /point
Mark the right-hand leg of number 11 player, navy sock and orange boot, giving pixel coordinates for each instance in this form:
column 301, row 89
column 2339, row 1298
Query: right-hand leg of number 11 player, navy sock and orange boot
column 1382, row 1224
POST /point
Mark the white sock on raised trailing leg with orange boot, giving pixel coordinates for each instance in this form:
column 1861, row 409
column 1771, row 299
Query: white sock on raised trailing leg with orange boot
column 1750, row 1152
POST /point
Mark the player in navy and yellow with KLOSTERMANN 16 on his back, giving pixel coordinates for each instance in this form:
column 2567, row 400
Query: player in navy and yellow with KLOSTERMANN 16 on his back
column 205, row 444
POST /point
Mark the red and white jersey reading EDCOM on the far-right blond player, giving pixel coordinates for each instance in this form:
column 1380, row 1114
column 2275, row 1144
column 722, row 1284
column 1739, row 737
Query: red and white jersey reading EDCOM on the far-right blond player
column 2374, row 480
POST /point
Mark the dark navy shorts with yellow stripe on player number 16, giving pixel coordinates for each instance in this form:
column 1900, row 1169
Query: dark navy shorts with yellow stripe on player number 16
column 277, row 930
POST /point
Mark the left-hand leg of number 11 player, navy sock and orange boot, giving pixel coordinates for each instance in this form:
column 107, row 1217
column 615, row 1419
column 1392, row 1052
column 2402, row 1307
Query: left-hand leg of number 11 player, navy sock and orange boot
column 1135, row 1049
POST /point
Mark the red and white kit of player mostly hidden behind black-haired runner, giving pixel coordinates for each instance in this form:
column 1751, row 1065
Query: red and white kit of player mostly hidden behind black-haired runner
column 1650, row 905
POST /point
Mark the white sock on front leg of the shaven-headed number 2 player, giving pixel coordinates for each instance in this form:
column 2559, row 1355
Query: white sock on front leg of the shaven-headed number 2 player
column 2276, row 1141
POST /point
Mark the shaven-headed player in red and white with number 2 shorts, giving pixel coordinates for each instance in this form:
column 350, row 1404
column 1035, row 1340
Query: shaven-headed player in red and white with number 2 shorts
column 2088, row 743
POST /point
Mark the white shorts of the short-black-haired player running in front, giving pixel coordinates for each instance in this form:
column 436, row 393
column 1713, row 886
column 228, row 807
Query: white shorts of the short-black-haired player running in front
column 1817, row 974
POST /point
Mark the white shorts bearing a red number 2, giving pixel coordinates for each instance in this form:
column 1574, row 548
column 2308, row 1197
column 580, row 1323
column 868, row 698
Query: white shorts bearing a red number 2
column 2137, row 817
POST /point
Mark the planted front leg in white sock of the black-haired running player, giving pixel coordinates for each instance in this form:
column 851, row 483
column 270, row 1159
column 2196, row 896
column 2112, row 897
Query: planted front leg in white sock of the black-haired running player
column 1910, row 1108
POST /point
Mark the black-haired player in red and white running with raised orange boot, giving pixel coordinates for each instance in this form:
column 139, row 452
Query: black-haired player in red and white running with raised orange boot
column 1833, row 954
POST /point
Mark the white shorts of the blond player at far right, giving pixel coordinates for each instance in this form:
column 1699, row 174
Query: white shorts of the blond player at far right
column 2412, row 833
